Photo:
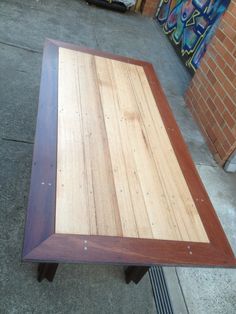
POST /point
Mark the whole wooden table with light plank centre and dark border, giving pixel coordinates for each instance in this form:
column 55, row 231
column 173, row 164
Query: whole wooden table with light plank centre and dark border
column 112, row 180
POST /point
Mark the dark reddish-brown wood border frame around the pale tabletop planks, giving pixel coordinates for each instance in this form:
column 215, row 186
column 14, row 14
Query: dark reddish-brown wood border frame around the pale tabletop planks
column 41, row 244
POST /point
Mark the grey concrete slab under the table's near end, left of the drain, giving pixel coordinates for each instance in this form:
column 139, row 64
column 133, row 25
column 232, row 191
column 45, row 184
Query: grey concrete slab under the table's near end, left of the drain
column 77, row 288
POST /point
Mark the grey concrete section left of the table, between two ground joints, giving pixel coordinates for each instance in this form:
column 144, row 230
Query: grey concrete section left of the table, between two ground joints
column 19, row 90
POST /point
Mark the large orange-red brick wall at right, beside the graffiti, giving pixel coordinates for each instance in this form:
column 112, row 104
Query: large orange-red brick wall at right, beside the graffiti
column 211, row 95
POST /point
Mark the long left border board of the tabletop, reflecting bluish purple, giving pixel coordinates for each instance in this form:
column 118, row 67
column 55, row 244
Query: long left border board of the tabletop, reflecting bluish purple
column 41, row 204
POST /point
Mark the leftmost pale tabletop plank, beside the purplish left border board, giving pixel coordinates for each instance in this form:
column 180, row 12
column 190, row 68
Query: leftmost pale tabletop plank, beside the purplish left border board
column 70, row 161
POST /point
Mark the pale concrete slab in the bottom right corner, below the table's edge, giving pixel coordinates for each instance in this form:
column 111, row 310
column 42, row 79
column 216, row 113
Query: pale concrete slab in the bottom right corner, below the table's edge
column 209, row 291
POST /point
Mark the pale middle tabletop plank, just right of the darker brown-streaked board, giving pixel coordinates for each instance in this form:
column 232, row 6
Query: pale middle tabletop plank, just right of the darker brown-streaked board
column 128, row 189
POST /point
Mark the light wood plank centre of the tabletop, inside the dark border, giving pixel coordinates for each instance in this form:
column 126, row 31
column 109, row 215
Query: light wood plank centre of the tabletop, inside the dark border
column 117, row 173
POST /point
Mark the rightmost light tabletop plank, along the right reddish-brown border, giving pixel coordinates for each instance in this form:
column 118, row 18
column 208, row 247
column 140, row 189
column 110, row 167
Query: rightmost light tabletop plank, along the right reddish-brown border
column 182, row 206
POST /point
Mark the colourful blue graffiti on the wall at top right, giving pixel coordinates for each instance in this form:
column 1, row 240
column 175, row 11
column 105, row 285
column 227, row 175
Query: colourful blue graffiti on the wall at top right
column 190, row 24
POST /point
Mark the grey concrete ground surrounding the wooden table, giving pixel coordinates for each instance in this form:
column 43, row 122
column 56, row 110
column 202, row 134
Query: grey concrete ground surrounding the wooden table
column 24, row 25
